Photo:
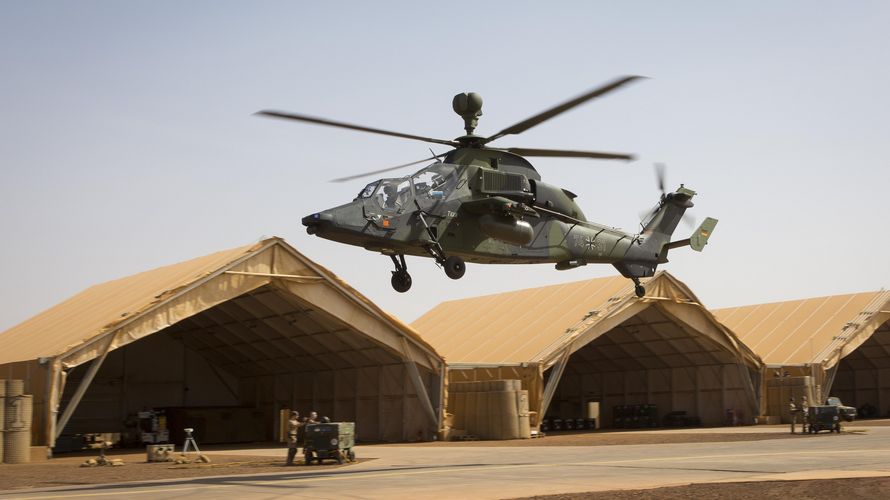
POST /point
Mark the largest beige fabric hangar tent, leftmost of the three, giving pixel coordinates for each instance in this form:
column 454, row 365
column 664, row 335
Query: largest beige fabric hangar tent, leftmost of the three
column 260, row 326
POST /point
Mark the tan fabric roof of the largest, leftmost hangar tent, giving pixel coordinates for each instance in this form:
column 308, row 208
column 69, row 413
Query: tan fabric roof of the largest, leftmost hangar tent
column 83, row 319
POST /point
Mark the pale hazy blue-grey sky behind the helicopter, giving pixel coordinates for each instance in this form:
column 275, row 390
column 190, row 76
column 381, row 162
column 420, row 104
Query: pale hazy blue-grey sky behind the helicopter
column 128, row 141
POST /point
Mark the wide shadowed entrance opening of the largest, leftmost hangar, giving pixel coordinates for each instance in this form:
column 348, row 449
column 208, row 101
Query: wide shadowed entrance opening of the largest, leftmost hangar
column 230, row 370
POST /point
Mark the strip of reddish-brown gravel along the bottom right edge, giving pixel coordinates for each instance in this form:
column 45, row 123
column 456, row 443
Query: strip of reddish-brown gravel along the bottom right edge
column 847, row 489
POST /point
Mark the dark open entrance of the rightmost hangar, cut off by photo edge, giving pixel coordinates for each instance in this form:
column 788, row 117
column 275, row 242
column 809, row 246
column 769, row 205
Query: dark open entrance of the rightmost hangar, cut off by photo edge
column 863, row 376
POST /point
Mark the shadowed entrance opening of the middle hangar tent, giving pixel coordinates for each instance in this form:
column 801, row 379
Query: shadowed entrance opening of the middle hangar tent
column 652, row 370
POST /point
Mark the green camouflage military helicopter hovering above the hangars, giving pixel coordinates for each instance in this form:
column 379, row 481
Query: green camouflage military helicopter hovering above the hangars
column 489, row 206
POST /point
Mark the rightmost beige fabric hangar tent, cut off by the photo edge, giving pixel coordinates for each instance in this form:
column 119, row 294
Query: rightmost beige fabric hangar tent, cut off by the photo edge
column 842, row 341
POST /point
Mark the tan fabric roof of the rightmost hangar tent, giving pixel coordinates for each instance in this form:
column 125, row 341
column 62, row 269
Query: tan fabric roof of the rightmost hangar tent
column 800, row 331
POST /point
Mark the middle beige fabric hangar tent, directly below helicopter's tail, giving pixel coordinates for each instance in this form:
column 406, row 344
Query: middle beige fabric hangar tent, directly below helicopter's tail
column 596, row 341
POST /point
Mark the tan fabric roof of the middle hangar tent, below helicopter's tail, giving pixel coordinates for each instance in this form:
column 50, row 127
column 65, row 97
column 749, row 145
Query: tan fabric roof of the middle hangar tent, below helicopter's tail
column 536, row 324
